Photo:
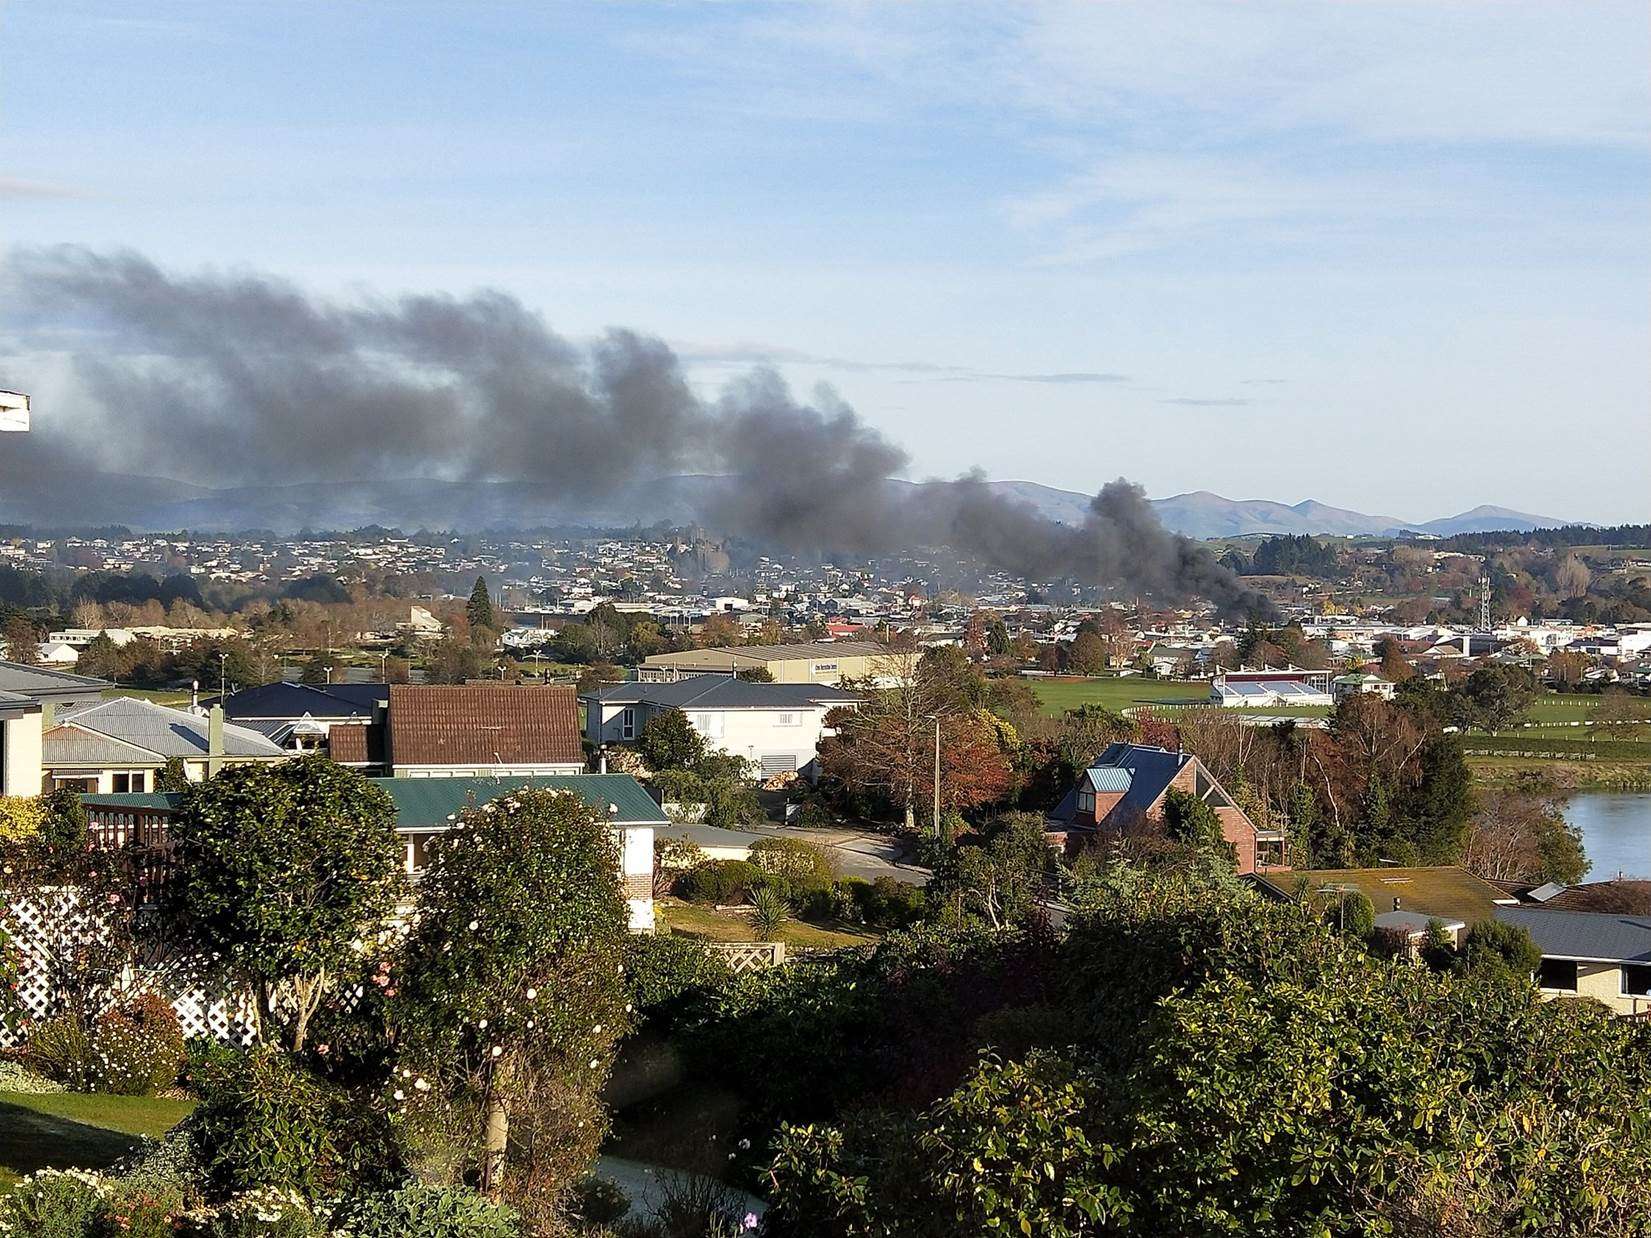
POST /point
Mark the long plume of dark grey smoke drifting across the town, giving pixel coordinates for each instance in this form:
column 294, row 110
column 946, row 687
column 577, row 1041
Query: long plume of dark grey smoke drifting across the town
column 242, row 379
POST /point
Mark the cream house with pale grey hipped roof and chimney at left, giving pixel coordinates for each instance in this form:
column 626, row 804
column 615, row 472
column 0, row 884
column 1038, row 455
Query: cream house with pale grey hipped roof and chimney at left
column 123, row 744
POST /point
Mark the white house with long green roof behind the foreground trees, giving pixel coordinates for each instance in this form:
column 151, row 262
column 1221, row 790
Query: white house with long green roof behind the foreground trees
column 425, row 810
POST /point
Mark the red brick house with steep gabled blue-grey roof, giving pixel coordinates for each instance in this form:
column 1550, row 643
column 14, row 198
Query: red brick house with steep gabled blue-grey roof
column 1125, row 788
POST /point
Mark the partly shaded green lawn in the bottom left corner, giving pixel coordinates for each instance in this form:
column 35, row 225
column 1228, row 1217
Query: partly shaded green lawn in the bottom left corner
column 77, row 1132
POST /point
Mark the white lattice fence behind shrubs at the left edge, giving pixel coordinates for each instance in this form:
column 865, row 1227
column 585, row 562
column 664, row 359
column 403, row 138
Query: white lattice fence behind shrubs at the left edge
column 52, row 925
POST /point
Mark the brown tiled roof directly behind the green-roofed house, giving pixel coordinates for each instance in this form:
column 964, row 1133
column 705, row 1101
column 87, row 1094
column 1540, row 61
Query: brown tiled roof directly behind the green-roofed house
column 440, row 725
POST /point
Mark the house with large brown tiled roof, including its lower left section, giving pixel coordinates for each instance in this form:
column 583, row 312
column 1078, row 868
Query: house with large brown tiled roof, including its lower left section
column 466, row 732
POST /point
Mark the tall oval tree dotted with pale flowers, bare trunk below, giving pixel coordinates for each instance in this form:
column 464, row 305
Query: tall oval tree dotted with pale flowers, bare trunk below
column 514, row 993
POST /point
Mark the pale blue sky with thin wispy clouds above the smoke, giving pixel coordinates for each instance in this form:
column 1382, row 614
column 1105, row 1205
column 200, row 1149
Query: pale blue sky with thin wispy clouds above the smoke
column 1391, row 257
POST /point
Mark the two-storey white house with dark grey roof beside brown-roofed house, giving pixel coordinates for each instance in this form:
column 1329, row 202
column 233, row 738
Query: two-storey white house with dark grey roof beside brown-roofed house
column 775, row 725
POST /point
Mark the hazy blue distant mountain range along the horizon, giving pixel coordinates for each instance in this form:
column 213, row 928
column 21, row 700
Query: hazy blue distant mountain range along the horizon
column 161, row 504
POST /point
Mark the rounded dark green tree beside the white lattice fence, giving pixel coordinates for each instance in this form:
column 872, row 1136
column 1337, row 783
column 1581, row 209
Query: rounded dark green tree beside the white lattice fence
column 280, row 872
